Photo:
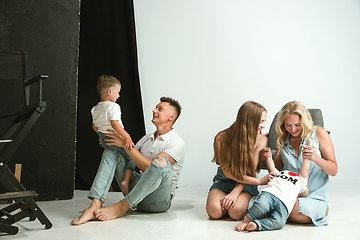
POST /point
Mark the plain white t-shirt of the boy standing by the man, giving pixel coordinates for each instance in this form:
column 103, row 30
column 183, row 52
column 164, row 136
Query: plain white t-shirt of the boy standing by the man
column 103, row 113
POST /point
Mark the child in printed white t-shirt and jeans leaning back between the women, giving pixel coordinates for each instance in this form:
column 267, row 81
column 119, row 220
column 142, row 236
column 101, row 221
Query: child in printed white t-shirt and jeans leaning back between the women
column 277, row 199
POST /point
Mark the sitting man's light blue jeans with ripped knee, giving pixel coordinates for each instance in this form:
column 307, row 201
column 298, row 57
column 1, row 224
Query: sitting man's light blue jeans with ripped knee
column 148, row 192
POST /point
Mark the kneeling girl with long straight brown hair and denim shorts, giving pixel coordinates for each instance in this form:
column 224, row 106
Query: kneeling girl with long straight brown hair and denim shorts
column 236, row 151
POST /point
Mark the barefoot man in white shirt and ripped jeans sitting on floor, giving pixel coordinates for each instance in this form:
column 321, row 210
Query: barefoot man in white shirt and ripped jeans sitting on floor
column 158, row 155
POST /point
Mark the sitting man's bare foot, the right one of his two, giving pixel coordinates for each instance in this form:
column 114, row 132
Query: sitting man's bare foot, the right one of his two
column 114, row 211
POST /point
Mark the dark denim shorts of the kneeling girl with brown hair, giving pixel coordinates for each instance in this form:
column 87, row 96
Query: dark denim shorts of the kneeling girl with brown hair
column 227, row 185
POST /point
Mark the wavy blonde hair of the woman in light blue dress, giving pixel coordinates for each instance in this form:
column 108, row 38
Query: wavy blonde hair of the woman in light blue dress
column 294, row 107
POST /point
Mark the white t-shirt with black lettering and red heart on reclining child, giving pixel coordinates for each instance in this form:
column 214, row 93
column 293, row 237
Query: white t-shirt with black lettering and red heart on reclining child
column 286, row 186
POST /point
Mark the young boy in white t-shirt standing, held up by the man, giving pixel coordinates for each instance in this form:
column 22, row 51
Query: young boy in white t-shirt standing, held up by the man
column 107, row 115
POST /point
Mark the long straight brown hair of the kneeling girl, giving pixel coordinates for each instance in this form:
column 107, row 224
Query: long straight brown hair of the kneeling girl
column 234, row 147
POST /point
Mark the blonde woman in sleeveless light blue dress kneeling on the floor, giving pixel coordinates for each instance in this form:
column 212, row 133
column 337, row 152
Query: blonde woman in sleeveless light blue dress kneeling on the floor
column 299, row 139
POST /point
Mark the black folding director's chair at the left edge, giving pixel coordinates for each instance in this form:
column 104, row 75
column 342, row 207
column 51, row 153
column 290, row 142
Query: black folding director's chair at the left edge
column 13, row 67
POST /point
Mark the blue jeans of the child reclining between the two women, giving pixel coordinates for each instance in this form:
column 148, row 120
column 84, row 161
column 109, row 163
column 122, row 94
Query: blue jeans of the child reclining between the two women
column 269, row 205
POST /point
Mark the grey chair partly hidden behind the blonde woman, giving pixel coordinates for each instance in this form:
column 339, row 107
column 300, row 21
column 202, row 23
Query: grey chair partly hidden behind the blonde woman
column 316, row 116
